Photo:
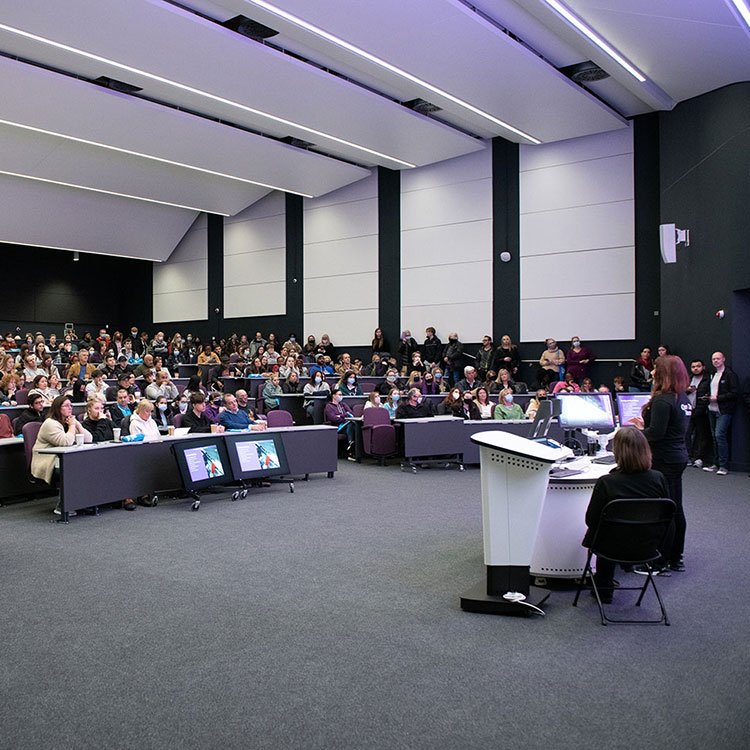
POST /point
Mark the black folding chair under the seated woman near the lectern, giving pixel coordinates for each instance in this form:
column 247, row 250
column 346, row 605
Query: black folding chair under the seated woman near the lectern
column 630, row 532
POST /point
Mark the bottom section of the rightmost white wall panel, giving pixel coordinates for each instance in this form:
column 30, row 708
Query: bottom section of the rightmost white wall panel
column 592, row 318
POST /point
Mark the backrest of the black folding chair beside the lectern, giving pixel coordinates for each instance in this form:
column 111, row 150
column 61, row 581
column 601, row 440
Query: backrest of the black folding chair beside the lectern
column 632, row 531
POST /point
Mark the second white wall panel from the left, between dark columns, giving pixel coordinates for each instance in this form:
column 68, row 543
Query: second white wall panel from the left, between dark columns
column 255, row 259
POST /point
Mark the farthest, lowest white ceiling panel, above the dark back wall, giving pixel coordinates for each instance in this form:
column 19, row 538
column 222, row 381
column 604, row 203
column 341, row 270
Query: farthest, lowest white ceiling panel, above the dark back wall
column 43, row 215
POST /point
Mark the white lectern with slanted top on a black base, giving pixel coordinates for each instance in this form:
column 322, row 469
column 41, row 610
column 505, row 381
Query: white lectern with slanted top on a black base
column 514, row 474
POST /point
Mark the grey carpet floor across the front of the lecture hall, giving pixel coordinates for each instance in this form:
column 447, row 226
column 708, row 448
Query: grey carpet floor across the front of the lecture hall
column 330, row 618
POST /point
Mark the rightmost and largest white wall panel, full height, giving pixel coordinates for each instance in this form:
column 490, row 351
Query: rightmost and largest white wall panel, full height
column 578, row 239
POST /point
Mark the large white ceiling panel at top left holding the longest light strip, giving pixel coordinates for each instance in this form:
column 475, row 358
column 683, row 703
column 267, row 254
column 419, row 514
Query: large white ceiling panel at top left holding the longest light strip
column 166, row 44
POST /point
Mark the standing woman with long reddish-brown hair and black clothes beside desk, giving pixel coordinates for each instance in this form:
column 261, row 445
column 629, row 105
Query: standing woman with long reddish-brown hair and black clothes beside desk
column 664, row 423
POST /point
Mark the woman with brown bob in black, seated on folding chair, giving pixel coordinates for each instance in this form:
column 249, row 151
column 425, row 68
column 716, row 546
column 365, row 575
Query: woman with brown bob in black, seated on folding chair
column 632, row 477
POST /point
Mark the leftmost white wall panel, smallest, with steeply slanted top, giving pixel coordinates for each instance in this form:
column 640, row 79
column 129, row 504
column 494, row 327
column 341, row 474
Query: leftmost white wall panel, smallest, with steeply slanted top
column 181, row 282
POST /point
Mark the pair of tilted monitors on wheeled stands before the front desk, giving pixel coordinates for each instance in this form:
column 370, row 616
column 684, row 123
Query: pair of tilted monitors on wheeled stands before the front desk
column 212, row 460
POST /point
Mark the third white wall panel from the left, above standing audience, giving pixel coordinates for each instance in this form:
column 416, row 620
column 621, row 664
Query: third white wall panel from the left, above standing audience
column 341, row 264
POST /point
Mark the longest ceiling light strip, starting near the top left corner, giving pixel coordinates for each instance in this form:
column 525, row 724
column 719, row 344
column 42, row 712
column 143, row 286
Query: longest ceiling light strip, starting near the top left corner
column 200, row 92
